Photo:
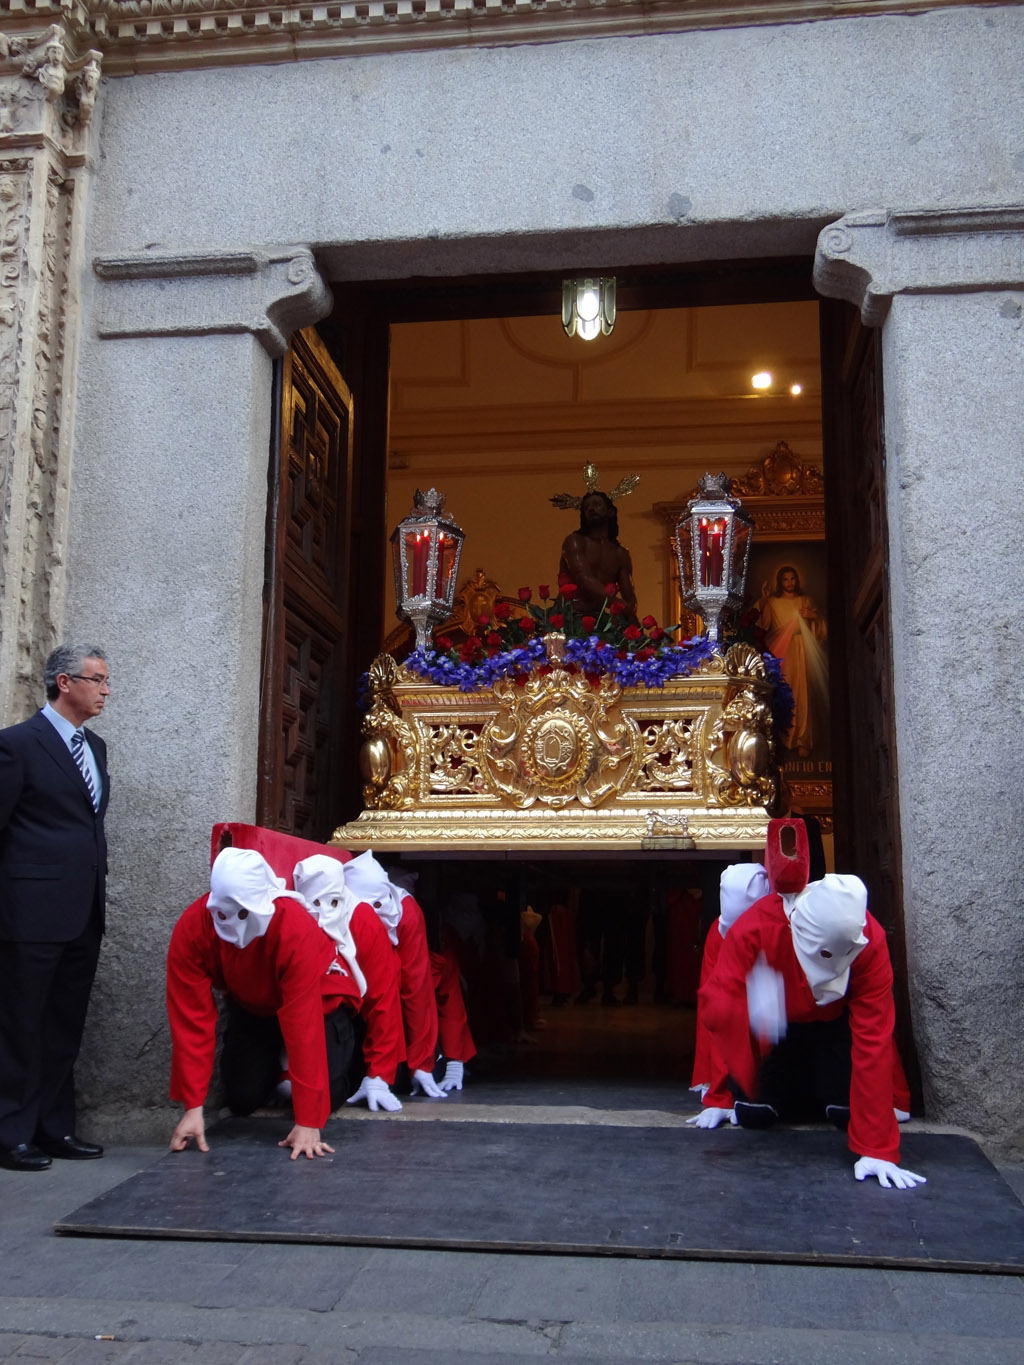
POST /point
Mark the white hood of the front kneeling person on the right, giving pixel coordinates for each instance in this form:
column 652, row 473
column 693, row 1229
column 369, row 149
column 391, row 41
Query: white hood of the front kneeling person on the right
column 828, row 922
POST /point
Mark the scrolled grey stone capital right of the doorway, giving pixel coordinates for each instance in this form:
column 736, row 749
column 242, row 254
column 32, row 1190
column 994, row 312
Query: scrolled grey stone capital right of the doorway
column 869, row 257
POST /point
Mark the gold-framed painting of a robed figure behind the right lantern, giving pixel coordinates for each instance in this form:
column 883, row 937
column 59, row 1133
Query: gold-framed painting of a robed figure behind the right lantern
column 784, row 609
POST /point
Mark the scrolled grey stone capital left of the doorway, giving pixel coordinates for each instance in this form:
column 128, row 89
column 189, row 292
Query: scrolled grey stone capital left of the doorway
column 271, row 293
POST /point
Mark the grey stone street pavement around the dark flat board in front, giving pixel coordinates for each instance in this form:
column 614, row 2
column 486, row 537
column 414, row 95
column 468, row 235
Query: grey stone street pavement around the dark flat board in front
column 156, row 1303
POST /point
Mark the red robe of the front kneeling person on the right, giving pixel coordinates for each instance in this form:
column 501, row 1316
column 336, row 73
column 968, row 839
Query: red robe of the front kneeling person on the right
column 869, row 1001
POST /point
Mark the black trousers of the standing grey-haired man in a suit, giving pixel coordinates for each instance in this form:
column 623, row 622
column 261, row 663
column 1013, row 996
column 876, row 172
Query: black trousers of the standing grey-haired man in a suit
column 44, row 998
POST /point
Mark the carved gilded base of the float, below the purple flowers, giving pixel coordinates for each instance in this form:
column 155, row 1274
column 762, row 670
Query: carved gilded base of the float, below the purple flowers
column 567, row 764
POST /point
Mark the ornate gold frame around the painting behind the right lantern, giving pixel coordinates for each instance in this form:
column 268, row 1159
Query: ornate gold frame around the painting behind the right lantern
column 786, row 498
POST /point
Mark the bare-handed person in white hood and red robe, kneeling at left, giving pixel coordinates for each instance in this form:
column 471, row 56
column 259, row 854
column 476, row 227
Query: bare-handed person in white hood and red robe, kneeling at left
column 286, row 986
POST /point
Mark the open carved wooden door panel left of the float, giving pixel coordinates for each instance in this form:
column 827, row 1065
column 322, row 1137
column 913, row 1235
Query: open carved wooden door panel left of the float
column 305, row 626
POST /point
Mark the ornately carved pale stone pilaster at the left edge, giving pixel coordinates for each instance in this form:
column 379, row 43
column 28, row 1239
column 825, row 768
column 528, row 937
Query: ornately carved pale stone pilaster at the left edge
column 50, row 77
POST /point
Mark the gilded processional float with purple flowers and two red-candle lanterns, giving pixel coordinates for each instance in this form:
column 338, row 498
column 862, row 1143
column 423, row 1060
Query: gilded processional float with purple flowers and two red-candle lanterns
column 547, row 731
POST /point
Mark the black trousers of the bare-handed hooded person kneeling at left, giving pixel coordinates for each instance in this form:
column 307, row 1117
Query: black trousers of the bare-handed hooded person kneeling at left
column 251, row 1059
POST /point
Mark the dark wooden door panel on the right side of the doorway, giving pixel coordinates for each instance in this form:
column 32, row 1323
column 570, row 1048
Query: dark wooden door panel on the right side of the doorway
column 865, row 775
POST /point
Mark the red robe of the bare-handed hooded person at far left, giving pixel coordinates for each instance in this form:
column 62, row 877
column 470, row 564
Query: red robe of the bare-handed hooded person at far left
column 283, row 974
